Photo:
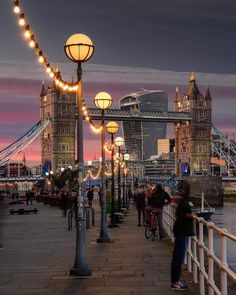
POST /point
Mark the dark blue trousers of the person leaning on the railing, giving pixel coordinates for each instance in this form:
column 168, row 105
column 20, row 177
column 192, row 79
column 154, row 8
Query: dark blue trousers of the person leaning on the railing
column 180, row 247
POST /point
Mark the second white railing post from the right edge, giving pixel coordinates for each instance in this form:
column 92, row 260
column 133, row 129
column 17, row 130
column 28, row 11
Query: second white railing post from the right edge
column 210, row 259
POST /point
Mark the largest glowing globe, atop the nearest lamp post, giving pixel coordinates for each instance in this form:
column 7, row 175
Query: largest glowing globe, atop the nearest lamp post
column 79, row 48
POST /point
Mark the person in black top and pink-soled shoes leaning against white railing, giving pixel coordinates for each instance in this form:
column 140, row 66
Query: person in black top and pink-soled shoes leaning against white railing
column 182, row 229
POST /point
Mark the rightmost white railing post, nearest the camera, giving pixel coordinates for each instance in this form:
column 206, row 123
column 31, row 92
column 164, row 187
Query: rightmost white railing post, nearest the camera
column 223, row 274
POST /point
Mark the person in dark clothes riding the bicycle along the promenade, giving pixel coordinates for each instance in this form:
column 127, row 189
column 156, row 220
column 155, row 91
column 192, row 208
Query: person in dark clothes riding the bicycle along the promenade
column 158, row 200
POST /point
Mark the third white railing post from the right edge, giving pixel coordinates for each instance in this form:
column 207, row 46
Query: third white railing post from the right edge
column 201, row 258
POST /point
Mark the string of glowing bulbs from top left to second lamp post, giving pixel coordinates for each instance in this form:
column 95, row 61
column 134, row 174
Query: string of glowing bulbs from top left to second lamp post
column 54, row 74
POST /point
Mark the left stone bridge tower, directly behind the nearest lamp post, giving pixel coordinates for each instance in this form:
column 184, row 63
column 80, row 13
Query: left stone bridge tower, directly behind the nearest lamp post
column 58, row 139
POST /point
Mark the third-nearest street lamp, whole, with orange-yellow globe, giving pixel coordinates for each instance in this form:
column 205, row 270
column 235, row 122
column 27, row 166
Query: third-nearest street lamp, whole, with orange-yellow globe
column 112, row 128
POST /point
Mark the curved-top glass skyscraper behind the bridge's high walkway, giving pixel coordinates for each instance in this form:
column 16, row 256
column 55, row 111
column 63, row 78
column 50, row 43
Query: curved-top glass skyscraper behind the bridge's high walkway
column 141, row 137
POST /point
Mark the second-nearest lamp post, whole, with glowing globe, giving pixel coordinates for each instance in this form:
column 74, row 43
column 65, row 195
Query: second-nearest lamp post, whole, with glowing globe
column 103, row 101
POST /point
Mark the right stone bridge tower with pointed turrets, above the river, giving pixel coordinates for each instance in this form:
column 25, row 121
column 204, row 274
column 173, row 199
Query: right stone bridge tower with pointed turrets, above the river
column 193, row 139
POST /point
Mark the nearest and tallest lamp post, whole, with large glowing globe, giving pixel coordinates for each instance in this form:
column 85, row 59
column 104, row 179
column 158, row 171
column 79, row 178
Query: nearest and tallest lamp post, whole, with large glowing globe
column 79, row 48
